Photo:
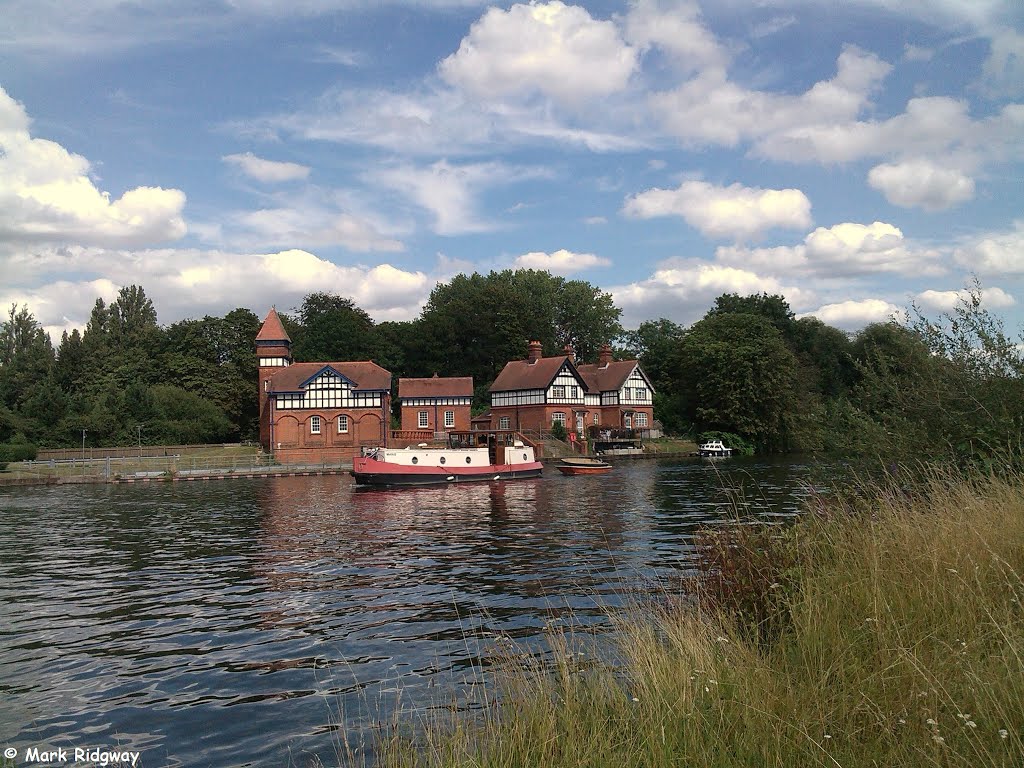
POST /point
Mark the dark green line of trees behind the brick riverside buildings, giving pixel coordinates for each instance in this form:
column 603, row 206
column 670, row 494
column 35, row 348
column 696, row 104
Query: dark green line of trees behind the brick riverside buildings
column 749, row 368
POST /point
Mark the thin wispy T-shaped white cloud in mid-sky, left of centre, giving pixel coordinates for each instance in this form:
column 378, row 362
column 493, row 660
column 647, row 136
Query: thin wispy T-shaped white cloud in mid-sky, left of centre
column 450, row 192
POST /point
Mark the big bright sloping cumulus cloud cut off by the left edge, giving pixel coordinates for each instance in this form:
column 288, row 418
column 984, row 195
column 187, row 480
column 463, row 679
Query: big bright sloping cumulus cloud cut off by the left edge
column 47, row 195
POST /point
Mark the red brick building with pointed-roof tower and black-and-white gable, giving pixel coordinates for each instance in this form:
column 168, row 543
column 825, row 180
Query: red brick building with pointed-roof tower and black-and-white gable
column 318, row 412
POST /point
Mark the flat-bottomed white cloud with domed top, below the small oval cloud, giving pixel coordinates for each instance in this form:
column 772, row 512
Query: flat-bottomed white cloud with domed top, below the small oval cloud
column 843, row 250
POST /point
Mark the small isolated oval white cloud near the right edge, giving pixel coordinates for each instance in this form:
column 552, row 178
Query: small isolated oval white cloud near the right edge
column 921, row 184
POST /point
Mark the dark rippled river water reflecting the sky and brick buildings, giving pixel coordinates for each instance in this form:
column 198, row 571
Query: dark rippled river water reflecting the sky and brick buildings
column 269, row 622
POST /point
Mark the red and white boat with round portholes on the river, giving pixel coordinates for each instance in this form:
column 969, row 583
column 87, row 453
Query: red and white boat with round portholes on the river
column 470, row 457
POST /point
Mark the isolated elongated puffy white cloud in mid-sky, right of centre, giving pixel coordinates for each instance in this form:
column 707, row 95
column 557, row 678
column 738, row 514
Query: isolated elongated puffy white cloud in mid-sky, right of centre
column 736, row 211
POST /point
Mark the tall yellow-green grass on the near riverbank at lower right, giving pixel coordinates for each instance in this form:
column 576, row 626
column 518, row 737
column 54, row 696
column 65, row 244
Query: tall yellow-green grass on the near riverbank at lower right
column 886, row 630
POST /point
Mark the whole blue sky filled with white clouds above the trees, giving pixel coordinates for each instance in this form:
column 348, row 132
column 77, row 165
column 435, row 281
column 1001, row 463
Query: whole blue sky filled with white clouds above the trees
column 856, row 157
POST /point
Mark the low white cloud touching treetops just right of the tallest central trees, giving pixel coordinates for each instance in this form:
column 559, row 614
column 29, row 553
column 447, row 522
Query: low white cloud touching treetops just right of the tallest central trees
column 682, row 291
